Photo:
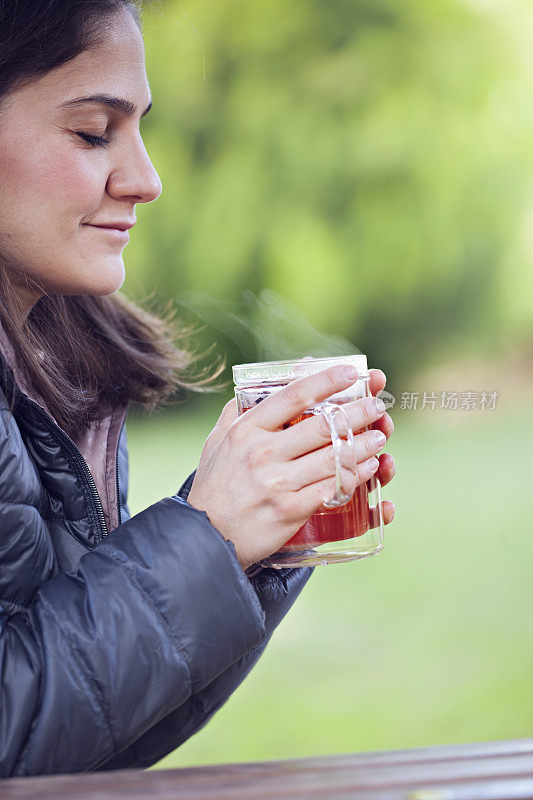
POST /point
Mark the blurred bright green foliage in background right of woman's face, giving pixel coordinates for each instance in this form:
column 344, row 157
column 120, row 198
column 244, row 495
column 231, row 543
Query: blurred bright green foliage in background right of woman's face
column 366, row 159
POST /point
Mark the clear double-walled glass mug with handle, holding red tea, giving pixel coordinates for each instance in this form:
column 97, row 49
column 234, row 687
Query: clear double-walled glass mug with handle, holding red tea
column 347, row 527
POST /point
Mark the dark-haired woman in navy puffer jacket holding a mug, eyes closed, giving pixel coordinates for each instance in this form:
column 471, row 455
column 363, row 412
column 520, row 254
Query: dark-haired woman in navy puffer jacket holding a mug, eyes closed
column 120, row 637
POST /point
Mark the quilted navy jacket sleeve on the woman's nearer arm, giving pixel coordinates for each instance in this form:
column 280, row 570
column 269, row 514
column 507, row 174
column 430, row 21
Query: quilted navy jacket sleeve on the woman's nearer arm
column 147, row 620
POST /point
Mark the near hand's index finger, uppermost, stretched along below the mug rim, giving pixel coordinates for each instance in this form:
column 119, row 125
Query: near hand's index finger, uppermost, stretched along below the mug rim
column 298, row 396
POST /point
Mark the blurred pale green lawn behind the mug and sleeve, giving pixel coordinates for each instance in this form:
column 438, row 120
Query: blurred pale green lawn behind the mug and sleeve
column 429, row 642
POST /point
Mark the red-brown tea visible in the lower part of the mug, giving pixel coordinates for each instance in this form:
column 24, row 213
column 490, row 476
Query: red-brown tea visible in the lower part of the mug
column 331, row 524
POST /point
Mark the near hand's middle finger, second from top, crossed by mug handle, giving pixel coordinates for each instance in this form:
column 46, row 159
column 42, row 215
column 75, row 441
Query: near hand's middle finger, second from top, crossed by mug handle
column 312, row 433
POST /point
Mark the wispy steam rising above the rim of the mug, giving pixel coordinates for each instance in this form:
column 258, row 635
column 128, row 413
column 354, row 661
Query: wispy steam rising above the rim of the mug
column 265, row 327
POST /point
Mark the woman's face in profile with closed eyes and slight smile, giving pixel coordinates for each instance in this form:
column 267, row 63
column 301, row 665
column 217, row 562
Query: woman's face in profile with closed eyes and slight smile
column 72, row 169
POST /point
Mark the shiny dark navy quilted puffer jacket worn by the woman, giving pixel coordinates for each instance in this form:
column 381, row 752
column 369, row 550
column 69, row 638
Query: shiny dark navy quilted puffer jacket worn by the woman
column 114, row 647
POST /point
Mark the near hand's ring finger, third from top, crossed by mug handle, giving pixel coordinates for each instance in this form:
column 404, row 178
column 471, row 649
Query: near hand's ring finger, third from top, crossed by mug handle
column 321, row 464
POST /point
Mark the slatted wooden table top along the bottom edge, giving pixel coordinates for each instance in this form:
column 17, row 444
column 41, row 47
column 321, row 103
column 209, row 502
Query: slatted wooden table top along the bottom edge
column 485, row 771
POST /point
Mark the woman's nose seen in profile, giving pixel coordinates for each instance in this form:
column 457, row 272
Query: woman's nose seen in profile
column 135, row 177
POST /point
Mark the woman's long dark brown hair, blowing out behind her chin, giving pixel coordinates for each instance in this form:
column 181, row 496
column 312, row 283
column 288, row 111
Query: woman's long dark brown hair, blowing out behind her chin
column 80, row 353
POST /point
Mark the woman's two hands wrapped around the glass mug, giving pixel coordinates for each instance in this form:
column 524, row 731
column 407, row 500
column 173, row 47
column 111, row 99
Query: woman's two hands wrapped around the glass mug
column 259, row 483
